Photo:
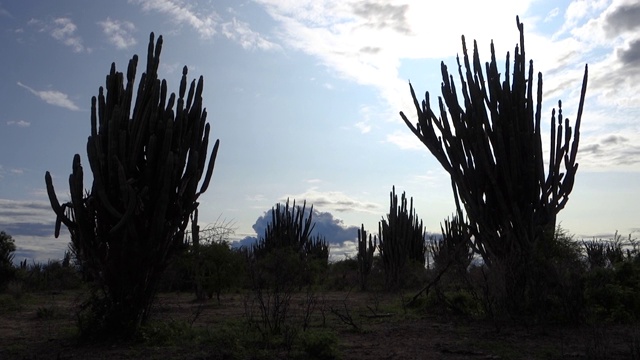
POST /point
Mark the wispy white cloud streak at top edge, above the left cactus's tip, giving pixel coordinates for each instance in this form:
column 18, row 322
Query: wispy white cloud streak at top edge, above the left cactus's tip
column 183, row 13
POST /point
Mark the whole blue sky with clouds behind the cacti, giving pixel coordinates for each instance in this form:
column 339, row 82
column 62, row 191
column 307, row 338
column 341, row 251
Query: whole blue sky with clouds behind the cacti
column 304, row 96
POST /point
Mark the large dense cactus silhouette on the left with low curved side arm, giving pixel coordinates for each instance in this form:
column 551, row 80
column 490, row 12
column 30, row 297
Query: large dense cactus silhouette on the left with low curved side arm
column 146, row 169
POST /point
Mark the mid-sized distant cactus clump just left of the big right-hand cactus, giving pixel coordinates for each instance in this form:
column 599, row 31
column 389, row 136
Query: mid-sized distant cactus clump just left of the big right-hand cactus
column 401, row 239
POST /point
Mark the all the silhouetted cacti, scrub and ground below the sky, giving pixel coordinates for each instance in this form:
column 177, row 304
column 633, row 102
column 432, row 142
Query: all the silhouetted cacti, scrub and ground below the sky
column 502, row 280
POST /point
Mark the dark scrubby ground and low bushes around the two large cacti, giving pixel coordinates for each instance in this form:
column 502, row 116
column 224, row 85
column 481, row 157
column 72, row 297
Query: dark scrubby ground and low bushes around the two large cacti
column 43, row 309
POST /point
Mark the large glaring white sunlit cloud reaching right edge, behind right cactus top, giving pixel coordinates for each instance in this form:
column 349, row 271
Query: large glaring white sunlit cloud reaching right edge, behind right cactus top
column 367, row 43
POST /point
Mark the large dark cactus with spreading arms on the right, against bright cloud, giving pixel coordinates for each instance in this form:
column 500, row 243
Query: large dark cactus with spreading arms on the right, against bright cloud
column 490, row 143
